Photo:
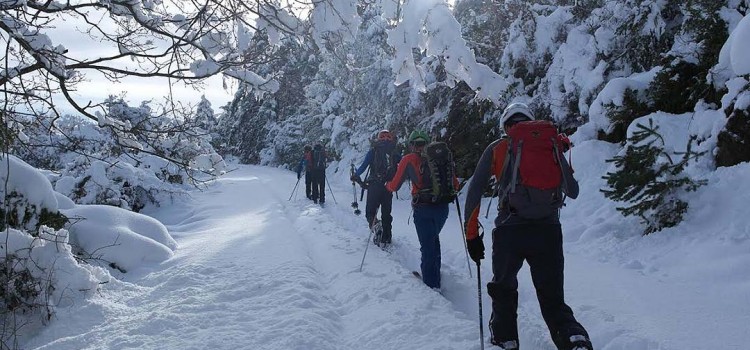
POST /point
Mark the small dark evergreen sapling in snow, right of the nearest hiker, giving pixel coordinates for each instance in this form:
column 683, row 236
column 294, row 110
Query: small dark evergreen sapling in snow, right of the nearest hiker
column 649, row 182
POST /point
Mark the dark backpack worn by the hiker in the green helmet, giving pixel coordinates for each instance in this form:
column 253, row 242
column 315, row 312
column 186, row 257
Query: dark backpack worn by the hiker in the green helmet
column 437, row 174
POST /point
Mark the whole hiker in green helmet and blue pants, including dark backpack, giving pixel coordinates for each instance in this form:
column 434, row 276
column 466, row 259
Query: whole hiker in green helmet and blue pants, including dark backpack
column 434, row 186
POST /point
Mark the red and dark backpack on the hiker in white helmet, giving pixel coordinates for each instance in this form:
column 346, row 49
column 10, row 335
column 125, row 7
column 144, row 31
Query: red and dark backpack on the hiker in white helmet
column 536, row 177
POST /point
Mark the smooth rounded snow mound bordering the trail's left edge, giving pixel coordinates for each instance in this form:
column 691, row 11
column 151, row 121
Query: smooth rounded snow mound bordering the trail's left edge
column 127, row 239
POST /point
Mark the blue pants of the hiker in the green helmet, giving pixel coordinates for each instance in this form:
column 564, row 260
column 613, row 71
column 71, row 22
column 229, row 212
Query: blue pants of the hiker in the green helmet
column 429, row 220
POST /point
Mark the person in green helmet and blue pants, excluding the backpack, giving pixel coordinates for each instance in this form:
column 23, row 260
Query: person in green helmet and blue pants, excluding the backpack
column 429, row 216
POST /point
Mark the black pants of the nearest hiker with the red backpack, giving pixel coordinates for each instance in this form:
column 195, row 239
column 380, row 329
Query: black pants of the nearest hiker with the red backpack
column 541, row 246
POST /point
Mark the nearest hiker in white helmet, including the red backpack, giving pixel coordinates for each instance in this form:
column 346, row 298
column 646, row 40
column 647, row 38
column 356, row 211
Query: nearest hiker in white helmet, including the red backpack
column 527, row 226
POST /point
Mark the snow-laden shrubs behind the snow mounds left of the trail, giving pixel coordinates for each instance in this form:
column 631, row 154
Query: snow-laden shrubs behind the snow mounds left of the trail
column 94, row 168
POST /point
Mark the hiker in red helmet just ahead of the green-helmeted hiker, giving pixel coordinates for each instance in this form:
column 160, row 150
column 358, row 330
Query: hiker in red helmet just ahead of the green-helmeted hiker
column 382, row 160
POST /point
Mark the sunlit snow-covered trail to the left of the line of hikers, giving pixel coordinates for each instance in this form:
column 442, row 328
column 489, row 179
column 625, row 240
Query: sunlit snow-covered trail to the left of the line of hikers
column 254, row 271
